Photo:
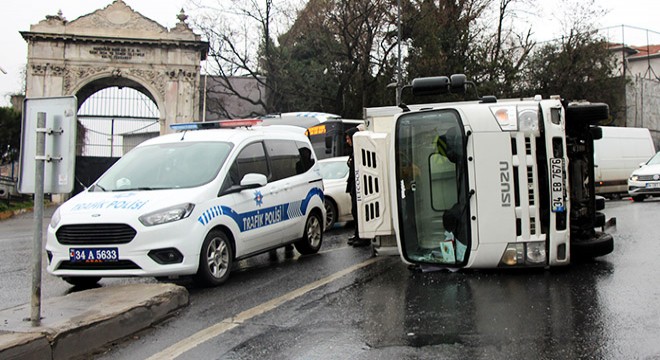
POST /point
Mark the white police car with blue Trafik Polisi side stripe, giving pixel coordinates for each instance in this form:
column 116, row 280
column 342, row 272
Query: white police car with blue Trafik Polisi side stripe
column 192, row 203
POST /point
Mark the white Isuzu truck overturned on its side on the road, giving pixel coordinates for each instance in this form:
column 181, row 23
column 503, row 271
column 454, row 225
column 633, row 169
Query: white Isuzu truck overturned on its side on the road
column 481, row 184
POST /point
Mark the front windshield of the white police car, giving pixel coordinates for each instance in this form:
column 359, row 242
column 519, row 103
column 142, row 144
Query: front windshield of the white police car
column 165, row 166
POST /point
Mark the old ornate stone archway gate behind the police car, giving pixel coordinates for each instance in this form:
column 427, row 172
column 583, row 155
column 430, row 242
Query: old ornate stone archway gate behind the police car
column 117, row 46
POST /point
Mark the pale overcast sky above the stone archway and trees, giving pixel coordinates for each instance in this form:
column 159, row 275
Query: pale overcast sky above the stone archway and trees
column 20, row 15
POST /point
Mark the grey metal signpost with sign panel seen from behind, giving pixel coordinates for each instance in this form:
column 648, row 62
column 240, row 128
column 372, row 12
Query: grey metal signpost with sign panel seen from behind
column 48, row 148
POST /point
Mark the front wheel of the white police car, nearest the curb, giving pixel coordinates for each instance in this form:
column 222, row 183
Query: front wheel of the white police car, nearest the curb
column 215, row 259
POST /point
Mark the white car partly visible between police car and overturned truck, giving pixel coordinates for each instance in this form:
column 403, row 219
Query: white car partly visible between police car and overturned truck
column 337, row 201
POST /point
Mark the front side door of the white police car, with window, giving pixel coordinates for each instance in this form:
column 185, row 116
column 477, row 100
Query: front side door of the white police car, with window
column 252, row 209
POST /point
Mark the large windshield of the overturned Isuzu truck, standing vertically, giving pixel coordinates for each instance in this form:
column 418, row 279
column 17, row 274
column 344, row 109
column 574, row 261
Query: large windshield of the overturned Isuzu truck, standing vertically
column 432, row 188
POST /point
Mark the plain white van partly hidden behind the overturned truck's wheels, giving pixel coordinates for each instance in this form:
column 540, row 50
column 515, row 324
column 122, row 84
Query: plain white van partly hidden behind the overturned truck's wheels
column 617, row 154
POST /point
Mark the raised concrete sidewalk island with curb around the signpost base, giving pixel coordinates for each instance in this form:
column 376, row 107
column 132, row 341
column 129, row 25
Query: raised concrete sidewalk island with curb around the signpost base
column 83, row 322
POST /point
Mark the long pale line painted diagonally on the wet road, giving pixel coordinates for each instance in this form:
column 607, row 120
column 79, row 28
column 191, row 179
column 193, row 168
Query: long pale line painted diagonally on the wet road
column 209, row 333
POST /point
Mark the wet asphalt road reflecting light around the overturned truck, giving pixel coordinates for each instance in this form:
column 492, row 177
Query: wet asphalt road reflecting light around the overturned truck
column 605, row 309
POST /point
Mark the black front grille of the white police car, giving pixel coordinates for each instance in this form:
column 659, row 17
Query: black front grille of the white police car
column 95, row 234
